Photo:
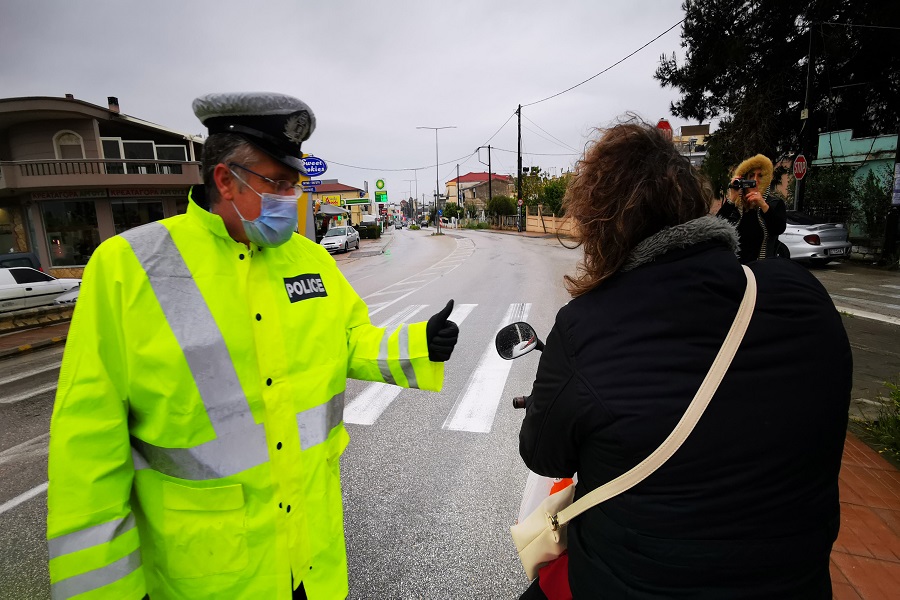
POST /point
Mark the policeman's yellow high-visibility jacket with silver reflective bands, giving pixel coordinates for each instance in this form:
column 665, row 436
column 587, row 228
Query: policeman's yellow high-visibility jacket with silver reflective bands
column 198, row 425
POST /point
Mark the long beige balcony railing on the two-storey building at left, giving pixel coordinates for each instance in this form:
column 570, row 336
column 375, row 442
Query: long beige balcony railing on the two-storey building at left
column 56, row 174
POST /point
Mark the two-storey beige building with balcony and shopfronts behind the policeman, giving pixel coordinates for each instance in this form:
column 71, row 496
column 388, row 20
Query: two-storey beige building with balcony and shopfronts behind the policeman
column 73, row 174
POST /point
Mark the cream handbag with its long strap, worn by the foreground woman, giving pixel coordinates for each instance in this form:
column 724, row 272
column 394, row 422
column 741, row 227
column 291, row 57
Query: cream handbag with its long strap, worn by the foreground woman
column 541, row 537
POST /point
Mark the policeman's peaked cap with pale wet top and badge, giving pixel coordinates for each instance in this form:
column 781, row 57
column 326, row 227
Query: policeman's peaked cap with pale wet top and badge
column 275, row 123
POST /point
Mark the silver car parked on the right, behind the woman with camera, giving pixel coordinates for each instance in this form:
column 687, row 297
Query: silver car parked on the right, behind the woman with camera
column 814, row 240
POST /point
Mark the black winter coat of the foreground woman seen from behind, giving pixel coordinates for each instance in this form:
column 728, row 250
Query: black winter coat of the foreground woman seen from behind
column 748, row 506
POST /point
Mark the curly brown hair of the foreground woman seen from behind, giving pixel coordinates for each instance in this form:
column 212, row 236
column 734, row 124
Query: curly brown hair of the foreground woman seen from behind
column 629, row 184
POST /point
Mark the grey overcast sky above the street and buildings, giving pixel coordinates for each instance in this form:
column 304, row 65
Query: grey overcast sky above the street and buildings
column 371, row 71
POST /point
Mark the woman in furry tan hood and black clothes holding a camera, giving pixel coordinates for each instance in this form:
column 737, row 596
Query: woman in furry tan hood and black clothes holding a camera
column 759, row 219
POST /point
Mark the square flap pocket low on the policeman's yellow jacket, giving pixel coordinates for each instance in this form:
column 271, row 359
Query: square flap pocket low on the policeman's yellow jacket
column 205, row 530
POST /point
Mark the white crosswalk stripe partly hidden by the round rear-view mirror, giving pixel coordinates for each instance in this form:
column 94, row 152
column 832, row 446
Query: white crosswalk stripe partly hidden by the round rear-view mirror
column 477, row 405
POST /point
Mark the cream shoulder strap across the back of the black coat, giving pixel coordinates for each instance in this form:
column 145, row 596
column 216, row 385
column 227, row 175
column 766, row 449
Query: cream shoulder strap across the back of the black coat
column 688, row 421
